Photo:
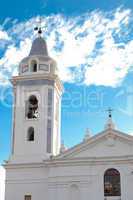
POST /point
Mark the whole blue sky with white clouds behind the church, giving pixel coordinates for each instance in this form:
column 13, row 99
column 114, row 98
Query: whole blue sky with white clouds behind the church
column 92, row 42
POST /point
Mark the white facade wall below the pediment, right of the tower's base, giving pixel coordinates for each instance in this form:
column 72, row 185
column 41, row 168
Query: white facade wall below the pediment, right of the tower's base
column 89, row 179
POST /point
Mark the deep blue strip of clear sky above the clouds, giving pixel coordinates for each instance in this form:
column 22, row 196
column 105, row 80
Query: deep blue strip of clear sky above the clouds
column 27, row 9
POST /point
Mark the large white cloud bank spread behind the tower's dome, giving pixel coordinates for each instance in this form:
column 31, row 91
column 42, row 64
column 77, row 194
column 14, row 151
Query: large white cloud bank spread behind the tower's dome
column 94, row 48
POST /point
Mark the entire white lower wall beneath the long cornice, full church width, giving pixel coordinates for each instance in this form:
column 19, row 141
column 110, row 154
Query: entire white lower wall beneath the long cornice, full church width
column 55, row 182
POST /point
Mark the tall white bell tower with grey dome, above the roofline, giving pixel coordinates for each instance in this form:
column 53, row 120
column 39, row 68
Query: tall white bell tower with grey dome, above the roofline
column 37, row 106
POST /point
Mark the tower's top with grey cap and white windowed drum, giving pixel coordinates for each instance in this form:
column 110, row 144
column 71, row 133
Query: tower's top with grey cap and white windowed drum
column 38, row 61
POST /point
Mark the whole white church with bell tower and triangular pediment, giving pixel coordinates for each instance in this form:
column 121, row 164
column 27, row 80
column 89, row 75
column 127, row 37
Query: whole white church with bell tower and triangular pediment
column 39, row 167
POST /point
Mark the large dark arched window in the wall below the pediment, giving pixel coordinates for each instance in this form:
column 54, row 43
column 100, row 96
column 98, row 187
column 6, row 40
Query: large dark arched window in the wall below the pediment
column 112, row 183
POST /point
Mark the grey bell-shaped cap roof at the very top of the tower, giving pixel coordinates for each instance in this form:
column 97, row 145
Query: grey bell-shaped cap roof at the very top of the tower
column 39, row 47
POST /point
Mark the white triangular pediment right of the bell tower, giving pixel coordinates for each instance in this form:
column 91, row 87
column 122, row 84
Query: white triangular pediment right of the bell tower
column 110, row 143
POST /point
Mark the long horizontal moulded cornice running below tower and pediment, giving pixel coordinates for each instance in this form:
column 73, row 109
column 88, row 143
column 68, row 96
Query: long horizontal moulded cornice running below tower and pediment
column 84, row 161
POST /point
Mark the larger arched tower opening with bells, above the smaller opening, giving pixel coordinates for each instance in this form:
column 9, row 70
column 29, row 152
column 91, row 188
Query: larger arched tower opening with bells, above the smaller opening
column 32, row 107
